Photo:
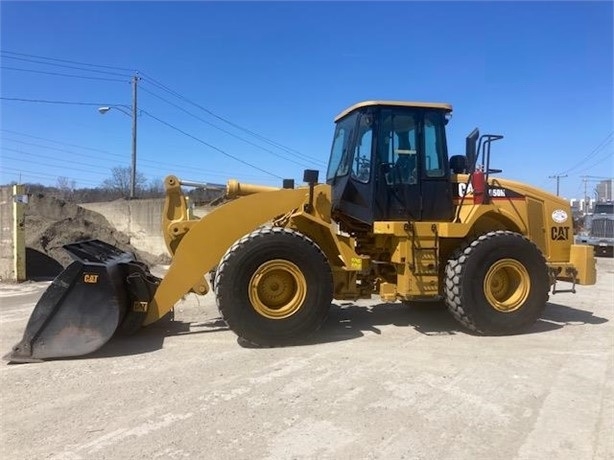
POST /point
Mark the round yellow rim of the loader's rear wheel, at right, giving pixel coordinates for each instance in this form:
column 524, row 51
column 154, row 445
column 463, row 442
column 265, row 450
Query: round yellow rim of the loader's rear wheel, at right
column 507, row 285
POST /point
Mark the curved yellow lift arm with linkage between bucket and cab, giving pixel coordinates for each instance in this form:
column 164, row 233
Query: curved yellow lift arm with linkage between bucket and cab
column 203, row 242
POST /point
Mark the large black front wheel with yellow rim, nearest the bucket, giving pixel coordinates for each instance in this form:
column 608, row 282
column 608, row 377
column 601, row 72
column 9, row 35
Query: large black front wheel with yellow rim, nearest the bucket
column 274, row 286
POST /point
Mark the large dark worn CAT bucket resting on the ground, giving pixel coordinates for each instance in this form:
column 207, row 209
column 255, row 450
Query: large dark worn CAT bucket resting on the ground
column 103, row 292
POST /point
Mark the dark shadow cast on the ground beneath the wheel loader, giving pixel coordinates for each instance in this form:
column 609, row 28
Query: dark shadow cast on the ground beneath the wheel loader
column 346, row 321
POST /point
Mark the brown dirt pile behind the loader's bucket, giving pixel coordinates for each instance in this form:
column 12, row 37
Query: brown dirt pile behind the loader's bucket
column 51, row 223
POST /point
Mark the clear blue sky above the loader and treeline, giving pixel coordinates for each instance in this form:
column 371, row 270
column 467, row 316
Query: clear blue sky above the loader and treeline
column 540, row 73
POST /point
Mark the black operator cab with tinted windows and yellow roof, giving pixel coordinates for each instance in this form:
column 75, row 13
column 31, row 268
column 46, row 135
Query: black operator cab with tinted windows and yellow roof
column 389, row 161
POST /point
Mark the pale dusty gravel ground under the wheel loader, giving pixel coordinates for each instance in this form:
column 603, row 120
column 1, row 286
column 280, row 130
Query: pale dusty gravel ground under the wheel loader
column 378, row 382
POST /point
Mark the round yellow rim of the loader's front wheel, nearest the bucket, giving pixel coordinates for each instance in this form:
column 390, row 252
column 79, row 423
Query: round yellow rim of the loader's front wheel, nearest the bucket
column 277, row 289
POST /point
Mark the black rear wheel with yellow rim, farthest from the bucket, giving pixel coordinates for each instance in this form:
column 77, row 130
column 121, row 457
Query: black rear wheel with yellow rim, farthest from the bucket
column 498, row 284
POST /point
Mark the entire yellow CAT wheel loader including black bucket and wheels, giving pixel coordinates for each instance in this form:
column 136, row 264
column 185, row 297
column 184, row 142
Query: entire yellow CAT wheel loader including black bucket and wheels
column 396, row 217
